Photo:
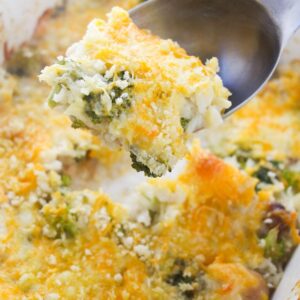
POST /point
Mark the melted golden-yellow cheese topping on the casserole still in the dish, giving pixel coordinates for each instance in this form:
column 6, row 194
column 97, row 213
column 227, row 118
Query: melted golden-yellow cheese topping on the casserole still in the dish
column 192, row 236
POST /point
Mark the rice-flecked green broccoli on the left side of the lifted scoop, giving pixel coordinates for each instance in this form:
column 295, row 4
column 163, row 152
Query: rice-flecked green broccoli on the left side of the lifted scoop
column 101, row 104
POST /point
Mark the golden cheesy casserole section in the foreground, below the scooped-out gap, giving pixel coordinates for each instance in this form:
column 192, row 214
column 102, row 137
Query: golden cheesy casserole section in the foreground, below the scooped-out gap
column 59, row 244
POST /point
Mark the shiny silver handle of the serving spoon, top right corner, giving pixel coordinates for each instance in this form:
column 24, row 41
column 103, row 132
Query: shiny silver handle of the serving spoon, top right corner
column 287, row 15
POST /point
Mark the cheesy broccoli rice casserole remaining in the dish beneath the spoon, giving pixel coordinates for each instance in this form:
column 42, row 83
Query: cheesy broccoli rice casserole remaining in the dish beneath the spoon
column 223, row 225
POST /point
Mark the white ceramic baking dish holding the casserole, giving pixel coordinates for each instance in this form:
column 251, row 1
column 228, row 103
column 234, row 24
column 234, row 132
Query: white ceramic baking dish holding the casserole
column 18, row 20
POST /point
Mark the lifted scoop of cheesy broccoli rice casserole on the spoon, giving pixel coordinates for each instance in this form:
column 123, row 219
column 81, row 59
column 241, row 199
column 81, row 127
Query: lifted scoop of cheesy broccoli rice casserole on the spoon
column 136, row 90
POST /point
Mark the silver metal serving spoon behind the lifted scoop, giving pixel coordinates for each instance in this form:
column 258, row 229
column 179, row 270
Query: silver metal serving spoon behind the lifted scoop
column 247, row 36
